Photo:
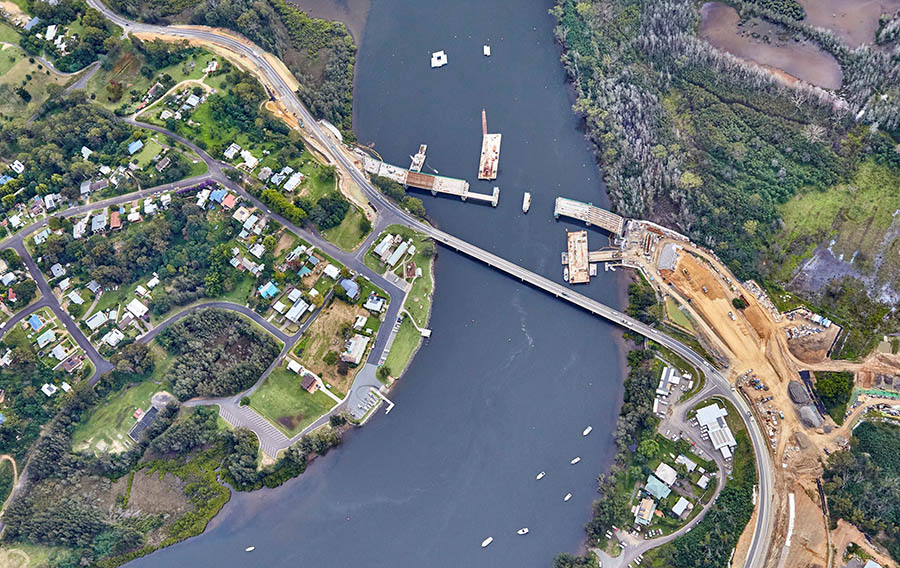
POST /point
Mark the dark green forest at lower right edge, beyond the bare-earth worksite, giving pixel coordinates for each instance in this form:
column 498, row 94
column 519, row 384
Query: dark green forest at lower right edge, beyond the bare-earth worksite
column 862, row 483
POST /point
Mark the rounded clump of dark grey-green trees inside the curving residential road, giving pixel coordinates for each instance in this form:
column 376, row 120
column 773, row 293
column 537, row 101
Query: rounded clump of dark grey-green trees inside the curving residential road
column 218, row 353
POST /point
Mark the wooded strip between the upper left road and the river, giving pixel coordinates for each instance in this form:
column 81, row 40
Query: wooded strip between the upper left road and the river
column 321, row 54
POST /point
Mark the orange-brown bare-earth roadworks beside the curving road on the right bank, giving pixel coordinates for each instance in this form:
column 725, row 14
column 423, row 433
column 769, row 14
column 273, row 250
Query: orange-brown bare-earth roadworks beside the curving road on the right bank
column 755, row 338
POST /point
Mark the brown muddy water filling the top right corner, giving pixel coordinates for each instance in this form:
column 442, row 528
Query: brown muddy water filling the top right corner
column 855, row 21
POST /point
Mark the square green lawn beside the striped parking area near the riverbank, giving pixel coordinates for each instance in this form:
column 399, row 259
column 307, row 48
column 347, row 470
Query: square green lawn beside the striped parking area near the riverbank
column 286, row 405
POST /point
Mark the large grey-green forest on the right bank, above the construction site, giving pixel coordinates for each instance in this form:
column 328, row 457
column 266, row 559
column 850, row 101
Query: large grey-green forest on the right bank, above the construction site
column 695, row 139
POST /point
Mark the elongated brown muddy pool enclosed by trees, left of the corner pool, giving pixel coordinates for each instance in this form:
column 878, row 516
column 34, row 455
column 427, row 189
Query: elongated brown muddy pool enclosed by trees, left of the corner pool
column 771, row 47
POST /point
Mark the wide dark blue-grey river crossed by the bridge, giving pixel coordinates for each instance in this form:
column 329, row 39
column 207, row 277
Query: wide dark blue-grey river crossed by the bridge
column 511, row 376
